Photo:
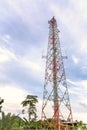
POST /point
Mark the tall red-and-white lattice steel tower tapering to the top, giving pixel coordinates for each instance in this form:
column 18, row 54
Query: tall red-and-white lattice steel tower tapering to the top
column 56, row 109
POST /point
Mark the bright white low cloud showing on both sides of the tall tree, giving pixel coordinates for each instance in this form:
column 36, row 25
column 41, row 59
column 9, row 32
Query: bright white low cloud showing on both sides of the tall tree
column 13, row 96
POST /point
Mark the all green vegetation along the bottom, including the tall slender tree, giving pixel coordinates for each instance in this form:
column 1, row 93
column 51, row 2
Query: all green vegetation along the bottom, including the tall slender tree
column 14, row 122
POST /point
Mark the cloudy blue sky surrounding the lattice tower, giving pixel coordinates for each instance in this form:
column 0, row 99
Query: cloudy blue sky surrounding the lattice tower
column 23, row 39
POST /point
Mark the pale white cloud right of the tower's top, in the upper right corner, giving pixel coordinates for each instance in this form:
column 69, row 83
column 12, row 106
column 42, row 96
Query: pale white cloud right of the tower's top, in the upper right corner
column 74, row 23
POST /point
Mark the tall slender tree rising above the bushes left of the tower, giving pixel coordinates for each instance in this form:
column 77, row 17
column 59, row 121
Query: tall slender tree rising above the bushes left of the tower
column 30, row 102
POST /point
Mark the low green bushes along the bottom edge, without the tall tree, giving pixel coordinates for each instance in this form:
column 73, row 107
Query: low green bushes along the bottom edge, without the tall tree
column 14, row 122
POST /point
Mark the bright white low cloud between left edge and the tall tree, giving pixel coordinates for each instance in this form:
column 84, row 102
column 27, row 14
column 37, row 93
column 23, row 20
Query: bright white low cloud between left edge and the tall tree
column 13, row 96
